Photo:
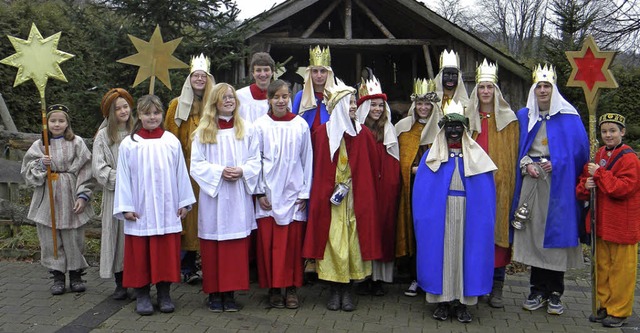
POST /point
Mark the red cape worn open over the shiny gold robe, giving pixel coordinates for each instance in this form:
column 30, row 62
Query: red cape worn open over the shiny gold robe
column 362, row 161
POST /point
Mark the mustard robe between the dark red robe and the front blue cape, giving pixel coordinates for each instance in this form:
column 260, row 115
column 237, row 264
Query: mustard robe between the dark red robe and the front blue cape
column 409, row 143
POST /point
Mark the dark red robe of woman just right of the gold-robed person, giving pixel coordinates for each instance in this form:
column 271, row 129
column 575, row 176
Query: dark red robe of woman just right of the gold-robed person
column 388, row 197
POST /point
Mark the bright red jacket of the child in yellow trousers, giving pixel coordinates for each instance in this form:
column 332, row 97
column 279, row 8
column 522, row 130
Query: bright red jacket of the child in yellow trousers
column 618, row 196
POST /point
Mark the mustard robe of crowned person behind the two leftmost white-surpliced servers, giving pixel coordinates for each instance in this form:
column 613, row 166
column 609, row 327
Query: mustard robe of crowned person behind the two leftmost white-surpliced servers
column 189, row 241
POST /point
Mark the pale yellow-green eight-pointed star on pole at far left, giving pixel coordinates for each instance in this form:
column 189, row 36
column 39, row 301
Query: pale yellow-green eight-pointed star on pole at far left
column 38, row 60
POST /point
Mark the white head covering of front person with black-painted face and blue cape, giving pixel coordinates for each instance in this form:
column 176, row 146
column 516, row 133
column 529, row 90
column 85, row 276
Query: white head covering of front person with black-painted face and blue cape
column 476, row 160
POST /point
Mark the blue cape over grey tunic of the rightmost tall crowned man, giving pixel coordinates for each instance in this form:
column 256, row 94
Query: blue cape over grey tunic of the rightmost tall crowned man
column 569, row 151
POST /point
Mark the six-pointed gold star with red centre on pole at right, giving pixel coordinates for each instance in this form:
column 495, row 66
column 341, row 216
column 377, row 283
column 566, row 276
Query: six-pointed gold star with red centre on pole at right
column 590, row 69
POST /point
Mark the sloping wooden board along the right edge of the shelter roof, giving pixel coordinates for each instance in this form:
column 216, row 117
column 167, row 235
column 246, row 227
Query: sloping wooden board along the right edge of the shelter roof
column 469, row 39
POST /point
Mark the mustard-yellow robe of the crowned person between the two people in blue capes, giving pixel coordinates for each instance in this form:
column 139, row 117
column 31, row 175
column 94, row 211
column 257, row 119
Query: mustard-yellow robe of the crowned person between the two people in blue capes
column 504, row 156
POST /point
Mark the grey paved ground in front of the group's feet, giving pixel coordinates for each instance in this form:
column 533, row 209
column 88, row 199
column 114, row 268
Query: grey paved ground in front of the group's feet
column 27, row 306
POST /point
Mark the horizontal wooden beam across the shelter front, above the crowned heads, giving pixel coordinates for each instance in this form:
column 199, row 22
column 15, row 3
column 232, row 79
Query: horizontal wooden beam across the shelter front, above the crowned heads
column 341, row 42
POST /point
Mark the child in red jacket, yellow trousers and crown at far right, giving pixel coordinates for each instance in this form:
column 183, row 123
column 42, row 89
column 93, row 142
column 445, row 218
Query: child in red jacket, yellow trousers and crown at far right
column 615, row 176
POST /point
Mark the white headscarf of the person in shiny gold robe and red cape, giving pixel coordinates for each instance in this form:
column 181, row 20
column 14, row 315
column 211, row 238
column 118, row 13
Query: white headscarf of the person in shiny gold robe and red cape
column 340, row 123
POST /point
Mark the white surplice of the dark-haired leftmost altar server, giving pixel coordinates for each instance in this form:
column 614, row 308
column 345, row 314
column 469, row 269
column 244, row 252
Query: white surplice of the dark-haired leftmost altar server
column 152, row 180
